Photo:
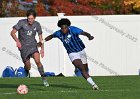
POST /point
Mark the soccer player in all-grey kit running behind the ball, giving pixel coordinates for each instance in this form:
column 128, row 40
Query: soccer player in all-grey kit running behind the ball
column 27, row 44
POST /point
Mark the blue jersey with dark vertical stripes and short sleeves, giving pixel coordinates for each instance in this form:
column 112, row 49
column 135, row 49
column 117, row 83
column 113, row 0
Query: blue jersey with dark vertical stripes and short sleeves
column 71, row 40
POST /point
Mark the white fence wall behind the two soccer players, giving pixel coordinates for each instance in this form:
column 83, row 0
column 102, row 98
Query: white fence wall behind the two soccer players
column 114, row 51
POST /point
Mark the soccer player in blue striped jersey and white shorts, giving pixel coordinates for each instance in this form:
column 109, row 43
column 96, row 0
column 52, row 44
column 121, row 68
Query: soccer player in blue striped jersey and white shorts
column 69, row 35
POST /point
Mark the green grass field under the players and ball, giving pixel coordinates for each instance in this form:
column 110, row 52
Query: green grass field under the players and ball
column 115, row 87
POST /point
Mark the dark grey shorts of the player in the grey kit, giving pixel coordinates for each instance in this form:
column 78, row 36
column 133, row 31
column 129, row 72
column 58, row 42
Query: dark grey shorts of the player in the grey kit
column 27, row 52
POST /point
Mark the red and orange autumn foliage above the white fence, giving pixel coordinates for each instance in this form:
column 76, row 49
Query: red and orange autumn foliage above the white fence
column 17, row 8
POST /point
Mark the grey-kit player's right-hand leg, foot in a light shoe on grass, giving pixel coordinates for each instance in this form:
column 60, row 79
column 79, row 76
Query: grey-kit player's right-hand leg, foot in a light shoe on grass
column 36, row 57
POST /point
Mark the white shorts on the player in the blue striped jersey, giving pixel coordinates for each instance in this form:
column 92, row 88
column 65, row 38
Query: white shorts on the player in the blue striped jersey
column 78, row 55
